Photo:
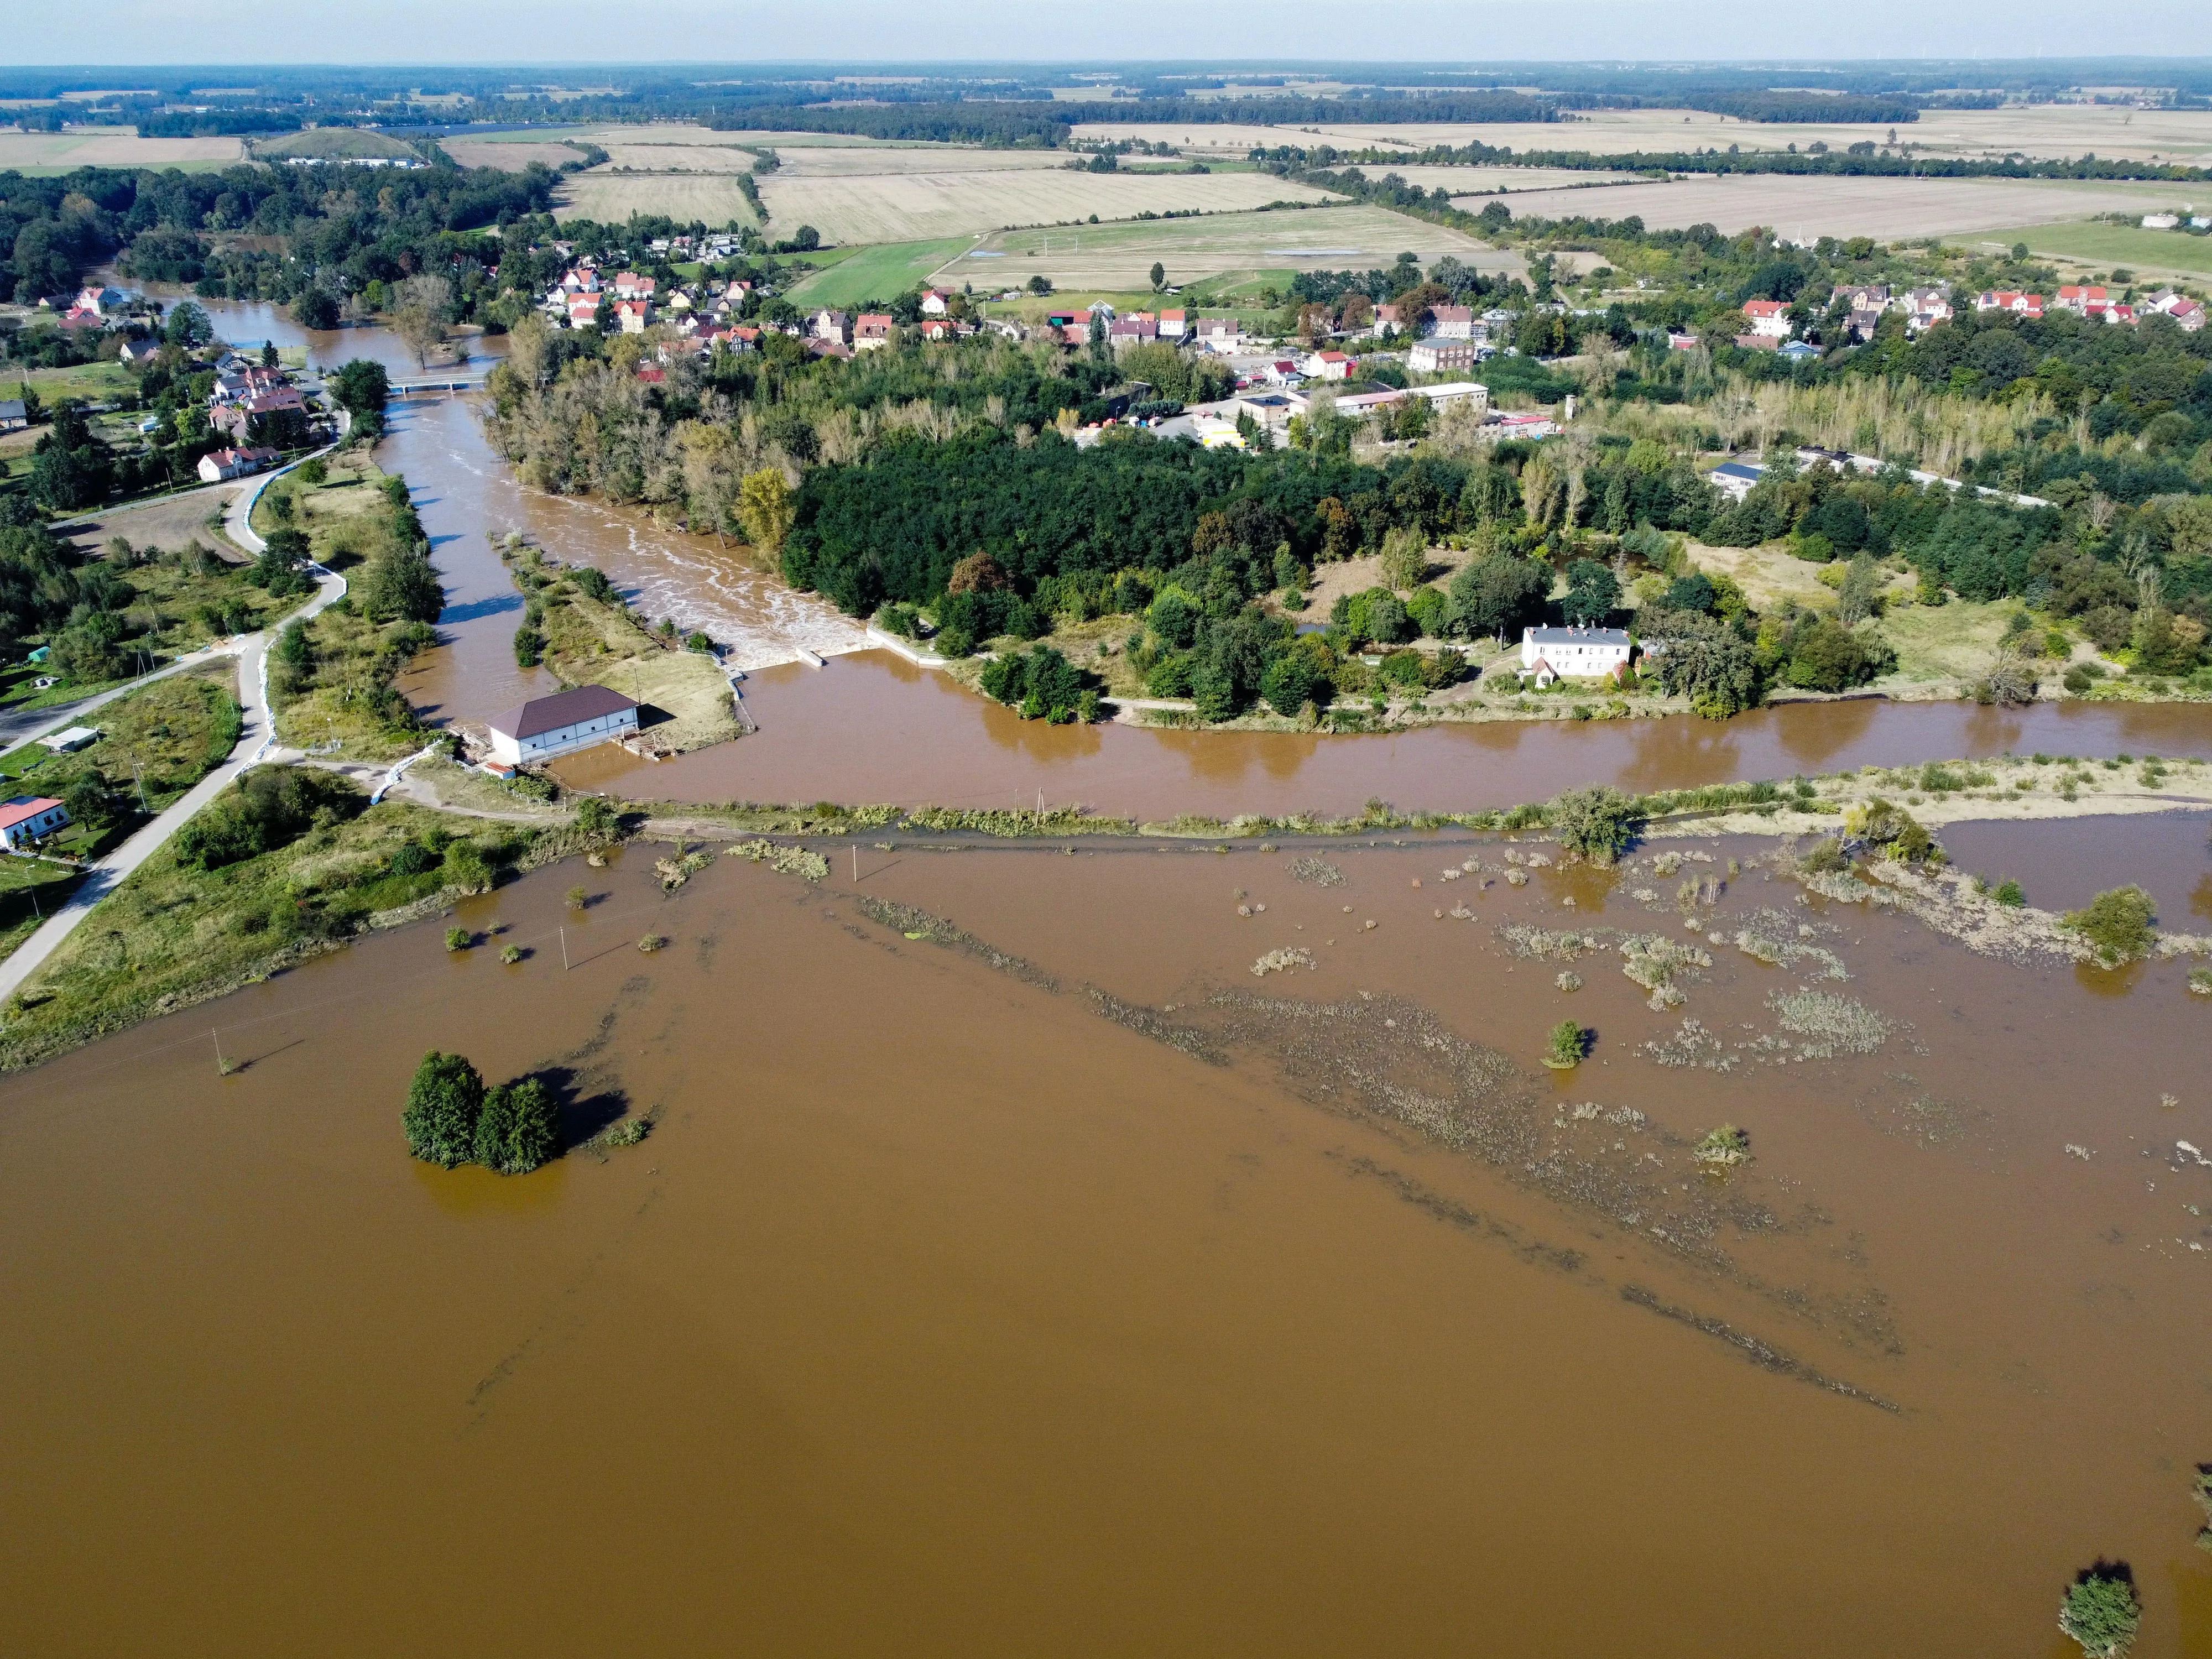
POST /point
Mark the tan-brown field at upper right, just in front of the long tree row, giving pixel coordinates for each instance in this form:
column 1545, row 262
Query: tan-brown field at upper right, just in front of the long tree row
column 1881, row 209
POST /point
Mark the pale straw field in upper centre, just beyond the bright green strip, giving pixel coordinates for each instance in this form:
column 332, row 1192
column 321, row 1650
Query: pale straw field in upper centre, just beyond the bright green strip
column 917, row 207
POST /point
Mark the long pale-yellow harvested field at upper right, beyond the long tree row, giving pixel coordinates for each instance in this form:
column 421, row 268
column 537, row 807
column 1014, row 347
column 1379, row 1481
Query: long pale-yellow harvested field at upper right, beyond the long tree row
column 2041, row 132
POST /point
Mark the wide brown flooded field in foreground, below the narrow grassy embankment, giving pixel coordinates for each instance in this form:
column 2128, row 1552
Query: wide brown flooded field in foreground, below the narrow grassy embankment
column 1003, row 1244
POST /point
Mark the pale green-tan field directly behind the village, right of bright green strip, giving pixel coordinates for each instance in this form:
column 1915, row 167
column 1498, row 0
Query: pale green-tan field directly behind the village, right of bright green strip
column 1120, row 255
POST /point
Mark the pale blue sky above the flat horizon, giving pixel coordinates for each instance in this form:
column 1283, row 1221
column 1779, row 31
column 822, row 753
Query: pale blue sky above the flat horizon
column 583, row 32
